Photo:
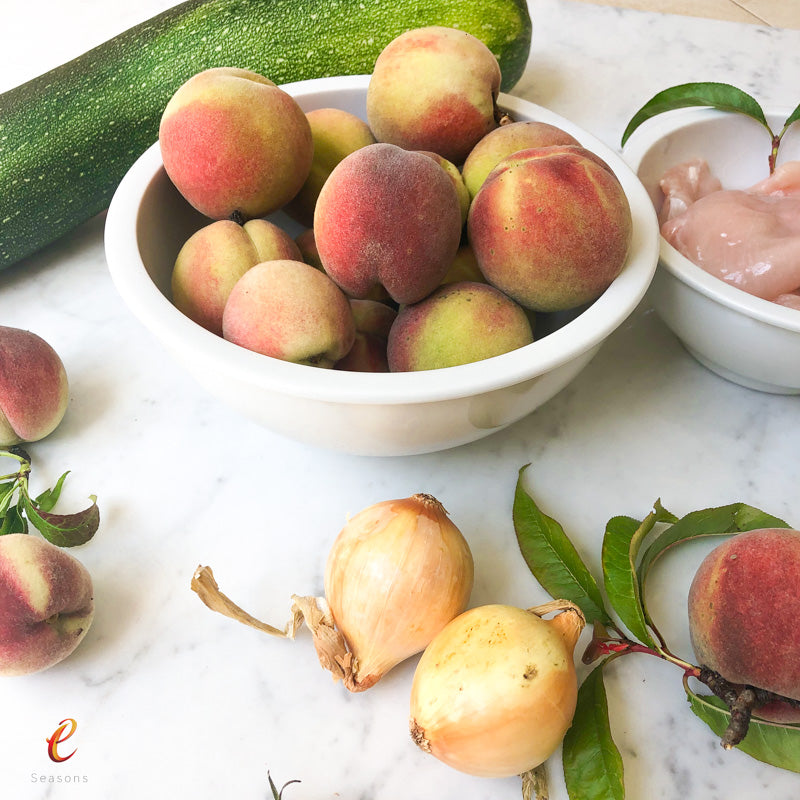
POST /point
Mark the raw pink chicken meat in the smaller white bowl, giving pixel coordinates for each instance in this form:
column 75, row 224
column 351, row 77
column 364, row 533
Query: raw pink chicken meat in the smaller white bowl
column 748, row 238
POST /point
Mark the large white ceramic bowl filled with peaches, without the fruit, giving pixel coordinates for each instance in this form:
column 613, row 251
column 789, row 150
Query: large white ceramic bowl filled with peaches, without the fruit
column 361, row 413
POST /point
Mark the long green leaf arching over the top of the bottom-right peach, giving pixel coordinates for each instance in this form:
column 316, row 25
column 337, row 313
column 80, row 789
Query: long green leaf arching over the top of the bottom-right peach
column 718, row 521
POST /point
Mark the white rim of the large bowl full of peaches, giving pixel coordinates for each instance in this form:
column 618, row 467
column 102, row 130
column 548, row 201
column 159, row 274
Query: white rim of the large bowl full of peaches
column 575, row 338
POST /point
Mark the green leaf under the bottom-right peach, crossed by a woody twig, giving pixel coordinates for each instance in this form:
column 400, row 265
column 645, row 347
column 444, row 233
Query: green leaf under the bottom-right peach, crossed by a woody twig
column 771, row 743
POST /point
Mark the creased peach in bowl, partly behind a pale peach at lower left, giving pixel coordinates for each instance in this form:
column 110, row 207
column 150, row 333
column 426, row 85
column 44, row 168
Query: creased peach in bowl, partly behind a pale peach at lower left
column 215, row 257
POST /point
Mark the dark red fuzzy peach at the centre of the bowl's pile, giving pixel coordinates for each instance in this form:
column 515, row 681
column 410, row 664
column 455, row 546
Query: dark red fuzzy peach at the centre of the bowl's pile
column 387, row 217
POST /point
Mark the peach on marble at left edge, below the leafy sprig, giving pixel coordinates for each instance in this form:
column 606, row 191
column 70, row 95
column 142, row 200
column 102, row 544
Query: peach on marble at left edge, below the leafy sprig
column 46, row 604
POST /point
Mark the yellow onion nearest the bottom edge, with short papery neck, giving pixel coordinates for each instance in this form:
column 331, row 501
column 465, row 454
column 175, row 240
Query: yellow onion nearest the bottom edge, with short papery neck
column 495, row 691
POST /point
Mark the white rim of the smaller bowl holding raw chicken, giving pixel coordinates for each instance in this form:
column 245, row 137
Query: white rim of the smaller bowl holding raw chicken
column 641, row 141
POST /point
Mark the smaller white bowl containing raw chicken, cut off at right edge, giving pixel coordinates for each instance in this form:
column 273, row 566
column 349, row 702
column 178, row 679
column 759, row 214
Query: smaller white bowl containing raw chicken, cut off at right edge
column 743, row 338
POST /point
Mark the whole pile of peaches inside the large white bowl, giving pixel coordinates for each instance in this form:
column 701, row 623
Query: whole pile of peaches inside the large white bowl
column 433, row 232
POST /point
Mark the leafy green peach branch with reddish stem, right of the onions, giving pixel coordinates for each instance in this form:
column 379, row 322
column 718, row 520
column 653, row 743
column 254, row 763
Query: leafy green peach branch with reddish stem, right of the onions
column 593, row 768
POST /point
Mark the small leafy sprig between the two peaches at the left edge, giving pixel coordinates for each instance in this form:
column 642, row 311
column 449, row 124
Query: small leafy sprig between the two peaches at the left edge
column 18, row 508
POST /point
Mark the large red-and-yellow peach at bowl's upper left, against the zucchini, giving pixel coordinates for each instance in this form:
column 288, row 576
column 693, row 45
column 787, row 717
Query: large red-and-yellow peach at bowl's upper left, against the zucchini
column 233, row 143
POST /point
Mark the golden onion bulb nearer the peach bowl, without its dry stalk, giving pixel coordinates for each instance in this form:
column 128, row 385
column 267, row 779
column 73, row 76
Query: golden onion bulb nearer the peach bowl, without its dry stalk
column 397, row 573
